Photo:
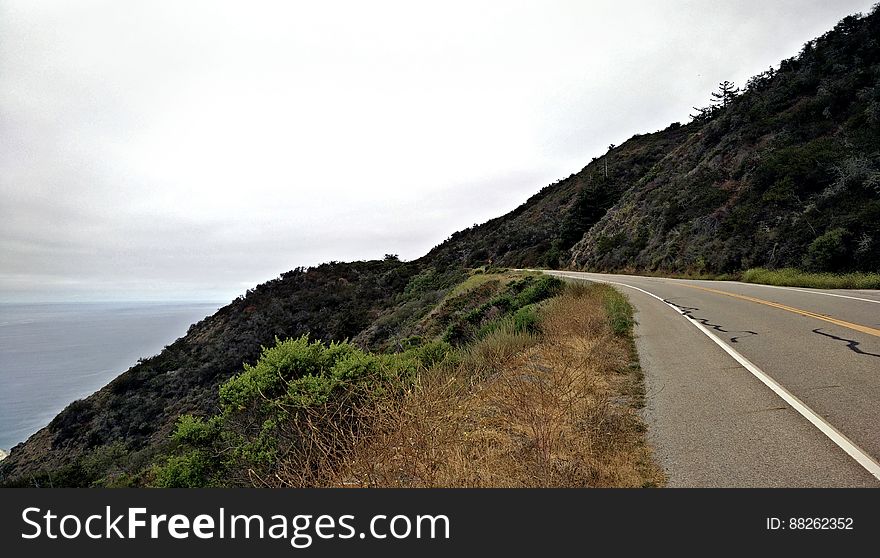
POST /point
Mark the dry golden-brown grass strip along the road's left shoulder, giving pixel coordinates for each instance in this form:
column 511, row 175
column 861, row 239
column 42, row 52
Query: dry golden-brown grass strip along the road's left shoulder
column 557, row 410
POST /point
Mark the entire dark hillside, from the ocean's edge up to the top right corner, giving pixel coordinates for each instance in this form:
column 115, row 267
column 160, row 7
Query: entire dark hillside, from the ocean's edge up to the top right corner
column 786, row 174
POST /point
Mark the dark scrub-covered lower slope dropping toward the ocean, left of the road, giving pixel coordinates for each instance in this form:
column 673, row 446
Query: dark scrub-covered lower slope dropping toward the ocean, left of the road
column 137, row 410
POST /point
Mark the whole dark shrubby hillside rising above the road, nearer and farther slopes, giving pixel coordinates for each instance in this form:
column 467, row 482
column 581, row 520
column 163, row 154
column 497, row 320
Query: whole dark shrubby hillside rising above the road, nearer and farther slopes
column 787, row 174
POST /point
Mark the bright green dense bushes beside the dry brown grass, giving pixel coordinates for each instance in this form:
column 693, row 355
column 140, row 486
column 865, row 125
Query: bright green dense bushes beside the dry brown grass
column 262, row 408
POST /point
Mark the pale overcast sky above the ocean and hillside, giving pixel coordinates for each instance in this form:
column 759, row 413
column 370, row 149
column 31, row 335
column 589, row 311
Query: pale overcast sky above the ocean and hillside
column 190, row 150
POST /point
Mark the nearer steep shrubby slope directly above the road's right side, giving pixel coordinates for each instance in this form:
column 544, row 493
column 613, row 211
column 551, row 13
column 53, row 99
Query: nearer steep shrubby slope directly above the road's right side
column 787, row 175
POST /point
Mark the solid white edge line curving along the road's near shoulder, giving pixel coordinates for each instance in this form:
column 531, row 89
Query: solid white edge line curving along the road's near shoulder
column 847, row 445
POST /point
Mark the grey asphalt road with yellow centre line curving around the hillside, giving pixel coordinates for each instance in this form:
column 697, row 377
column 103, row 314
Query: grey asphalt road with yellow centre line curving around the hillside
column 751, row 385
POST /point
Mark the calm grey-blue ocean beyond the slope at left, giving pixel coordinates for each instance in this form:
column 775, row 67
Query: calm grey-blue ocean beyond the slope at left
column 53, row 354
